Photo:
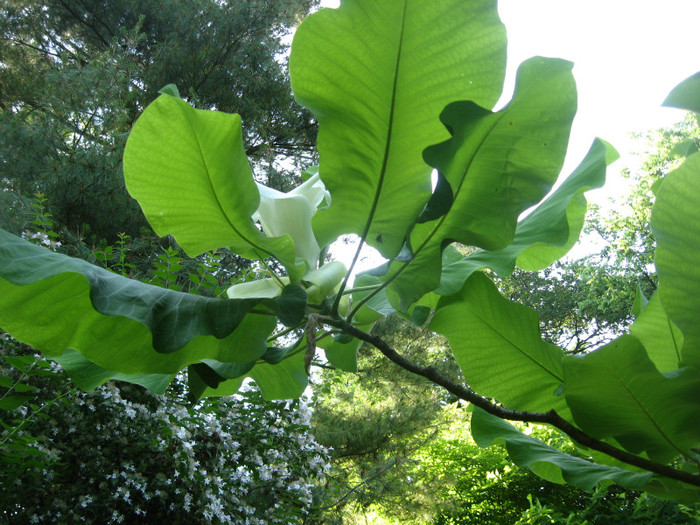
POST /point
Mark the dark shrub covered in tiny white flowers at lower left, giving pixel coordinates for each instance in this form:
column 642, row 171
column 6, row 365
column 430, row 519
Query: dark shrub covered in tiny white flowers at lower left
column 122, row 455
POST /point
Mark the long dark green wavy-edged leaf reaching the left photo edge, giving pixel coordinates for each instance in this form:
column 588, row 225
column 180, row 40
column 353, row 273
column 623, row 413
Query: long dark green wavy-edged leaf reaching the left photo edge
column 54, row 303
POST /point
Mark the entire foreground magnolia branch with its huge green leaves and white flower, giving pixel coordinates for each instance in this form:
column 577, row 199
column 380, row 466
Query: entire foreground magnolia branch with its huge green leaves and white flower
column 380, row 137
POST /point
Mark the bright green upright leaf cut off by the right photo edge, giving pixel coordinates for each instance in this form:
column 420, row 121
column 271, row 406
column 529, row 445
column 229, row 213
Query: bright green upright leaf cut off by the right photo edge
column 675, row 222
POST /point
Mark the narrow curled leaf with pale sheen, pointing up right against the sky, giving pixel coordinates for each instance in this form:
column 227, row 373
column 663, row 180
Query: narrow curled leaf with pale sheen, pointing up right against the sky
column 545, row 235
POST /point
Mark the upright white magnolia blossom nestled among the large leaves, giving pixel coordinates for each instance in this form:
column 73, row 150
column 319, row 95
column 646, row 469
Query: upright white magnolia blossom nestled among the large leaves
column 290, row 213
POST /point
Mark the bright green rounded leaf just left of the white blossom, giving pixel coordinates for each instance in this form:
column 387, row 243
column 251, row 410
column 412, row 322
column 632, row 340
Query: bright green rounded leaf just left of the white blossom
column 189, row 172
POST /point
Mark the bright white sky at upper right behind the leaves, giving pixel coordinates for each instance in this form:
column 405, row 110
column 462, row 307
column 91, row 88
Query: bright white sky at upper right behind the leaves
column 628, row 55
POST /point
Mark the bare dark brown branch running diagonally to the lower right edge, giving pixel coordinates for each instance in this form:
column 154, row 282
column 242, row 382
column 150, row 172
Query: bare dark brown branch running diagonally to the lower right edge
column 551, row 417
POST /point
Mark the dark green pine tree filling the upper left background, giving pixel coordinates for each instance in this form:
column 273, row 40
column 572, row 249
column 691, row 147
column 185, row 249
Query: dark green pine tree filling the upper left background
column 75, row 75
